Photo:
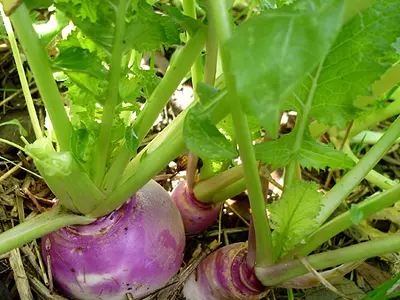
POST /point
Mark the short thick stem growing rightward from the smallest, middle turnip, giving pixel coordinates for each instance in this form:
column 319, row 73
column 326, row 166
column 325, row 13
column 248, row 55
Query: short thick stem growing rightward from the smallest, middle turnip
column 205, row 189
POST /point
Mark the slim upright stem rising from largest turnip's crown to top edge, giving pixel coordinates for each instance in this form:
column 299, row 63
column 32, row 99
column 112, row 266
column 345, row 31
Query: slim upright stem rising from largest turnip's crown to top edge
column 100, row 156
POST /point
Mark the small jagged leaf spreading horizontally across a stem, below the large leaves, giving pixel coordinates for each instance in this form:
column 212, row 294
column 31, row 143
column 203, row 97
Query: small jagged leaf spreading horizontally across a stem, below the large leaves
column 312, row 154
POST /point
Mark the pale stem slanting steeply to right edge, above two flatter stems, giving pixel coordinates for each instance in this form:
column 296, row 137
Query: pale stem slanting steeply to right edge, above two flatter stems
column 347, row 184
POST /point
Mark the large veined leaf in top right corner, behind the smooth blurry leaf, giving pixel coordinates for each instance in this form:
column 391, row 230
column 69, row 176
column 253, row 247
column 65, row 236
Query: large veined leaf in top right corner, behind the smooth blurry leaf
column 362, row 53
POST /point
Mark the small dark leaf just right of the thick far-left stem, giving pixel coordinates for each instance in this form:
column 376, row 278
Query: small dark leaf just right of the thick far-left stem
column 74, row 59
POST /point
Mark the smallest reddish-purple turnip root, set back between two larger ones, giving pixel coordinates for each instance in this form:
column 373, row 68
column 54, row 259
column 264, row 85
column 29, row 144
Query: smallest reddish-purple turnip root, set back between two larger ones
column 196, row 216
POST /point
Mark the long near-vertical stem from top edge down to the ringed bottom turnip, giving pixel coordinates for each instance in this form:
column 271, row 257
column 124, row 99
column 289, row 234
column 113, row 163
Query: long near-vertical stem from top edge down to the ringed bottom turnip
column 264, row 250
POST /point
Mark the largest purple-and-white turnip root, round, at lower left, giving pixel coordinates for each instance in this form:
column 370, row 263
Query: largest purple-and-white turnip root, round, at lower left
column 135, row 249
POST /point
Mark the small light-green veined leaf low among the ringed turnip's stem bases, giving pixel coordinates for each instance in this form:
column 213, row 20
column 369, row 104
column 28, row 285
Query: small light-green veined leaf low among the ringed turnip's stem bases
column 293, row 215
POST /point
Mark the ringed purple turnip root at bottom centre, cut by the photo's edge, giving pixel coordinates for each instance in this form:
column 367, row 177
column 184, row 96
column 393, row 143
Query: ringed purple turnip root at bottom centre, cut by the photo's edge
column 224, row 275
